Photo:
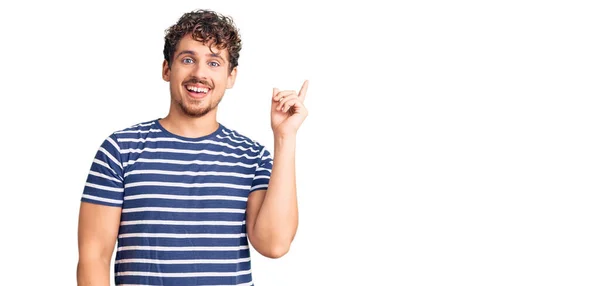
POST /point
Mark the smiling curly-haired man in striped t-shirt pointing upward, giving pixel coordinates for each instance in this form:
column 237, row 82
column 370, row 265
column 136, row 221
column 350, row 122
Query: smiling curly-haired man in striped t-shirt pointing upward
column 183, row 195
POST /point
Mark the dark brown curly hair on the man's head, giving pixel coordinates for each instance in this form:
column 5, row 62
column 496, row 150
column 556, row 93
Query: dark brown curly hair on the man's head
column 205, row 26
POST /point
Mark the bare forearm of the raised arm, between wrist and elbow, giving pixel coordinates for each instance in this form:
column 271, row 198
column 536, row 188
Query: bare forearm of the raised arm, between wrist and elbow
column 277, row 219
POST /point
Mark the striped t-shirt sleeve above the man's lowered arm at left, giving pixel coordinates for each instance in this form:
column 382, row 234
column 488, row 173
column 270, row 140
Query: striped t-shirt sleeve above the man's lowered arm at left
column 104, row 183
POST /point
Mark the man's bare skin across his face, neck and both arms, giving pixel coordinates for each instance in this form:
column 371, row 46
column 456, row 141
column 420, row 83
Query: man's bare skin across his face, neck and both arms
column 271, row 215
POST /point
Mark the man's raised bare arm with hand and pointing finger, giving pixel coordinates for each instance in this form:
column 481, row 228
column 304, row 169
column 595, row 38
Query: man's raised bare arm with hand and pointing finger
column 272, row 214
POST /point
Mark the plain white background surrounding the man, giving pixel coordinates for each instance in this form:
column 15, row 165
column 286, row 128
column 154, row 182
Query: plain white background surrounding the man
column 448, row 142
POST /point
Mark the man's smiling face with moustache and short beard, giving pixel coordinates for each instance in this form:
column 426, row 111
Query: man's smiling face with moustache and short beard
column 198, row 77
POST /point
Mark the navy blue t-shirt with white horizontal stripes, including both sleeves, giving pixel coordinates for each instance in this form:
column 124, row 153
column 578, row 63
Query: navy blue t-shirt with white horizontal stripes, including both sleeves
column 183, row 203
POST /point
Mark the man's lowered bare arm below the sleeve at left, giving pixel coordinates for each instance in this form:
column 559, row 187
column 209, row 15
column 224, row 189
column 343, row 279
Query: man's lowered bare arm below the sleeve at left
column 97, row 235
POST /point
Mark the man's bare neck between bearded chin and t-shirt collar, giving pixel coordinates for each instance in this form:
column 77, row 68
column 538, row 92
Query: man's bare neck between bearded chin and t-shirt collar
column 191, row 127
